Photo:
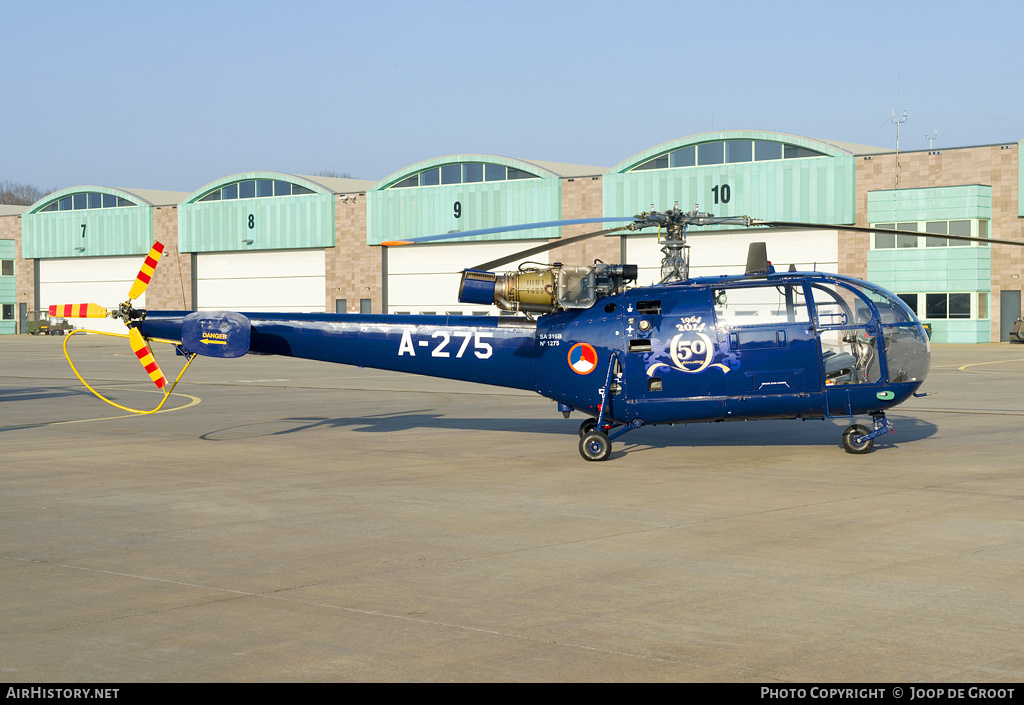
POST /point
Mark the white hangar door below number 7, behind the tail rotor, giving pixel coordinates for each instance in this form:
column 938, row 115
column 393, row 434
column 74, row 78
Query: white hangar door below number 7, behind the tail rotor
column 90, row 280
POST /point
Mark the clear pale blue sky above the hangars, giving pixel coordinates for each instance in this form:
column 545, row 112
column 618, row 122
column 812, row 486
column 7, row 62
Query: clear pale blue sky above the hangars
column 177, row 95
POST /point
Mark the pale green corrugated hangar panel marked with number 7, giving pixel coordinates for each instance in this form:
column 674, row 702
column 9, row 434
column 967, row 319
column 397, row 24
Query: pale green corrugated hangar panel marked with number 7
column 108, row 232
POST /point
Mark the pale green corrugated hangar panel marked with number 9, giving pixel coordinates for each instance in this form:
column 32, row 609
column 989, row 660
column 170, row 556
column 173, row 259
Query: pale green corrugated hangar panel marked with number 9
column 418, row 212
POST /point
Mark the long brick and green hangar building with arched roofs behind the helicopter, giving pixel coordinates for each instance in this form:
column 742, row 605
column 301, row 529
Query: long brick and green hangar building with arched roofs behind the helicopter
column 266, row 241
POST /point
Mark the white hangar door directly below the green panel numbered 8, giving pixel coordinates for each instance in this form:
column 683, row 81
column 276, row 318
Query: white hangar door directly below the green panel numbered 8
column 291, row 281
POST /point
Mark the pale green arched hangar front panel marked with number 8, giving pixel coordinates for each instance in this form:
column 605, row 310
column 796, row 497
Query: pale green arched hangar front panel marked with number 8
column 271, row 223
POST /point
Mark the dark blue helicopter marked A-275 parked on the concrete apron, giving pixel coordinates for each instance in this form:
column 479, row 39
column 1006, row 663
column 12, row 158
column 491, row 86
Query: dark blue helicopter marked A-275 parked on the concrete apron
column 764, row 345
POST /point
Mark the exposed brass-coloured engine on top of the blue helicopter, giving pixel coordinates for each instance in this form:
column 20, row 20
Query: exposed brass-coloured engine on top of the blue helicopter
column 544, row 291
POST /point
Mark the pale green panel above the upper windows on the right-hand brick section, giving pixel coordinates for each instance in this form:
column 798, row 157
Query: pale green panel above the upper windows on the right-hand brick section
column 941, row 203
